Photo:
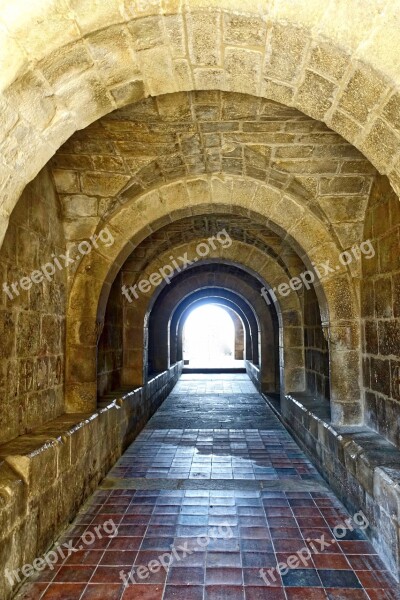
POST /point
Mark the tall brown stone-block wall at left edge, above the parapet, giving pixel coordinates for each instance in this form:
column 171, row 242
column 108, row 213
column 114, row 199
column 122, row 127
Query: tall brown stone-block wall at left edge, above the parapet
column 32, row 323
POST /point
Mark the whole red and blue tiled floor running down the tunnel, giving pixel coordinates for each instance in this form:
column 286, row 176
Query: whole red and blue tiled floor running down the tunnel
column 209, row 499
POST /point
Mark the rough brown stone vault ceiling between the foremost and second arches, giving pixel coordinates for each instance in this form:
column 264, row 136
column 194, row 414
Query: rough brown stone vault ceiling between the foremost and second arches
column 173, row 136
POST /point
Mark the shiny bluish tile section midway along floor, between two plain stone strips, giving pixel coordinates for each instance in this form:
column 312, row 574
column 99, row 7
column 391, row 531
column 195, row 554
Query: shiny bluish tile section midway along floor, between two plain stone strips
column 214, row 454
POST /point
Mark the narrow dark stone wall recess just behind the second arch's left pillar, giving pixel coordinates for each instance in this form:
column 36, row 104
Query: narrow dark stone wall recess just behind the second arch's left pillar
column 110, row 348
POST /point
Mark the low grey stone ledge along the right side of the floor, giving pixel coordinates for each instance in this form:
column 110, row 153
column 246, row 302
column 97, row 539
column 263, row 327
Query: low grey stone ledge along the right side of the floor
column 360, row 465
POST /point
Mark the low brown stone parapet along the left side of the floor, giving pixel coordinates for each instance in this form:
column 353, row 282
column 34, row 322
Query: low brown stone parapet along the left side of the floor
column 46, row 476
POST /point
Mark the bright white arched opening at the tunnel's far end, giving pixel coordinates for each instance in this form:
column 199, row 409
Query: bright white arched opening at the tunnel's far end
column 212, row 339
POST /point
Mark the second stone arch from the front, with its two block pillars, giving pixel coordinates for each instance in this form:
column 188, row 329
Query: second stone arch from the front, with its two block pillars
column 146, row 213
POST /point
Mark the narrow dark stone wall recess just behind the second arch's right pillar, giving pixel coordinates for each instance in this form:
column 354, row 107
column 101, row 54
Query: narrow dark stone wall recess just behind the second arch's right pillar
column 316, row 348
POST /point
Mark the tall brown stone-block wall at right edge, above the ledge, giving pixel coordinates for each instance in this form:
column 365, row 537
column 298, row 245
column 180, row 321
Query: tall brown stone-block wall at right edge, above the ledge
column 381, row 313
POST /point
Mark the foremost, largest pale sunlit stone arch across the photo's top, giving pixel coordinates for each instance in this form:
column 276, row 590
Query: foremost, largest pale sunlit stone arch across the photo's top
column 65, row 68
